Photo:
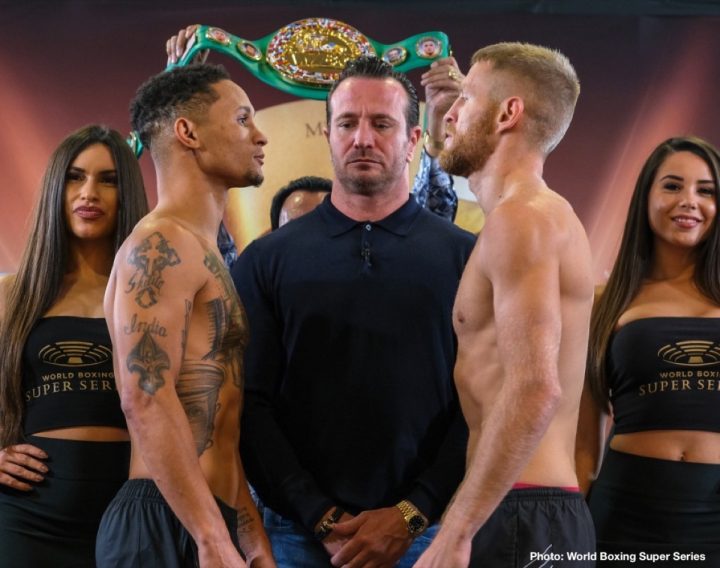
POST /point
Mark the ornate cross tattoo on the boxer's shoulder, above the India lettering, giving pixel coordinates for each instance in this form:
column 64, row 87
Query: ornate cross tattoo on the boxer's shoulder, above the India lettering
column 150, row 258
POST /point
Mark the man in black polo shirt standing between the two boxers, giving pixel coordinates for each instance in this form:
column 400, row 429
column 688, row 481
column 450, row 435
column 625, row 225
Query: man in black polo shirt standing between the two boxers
column 352, row 433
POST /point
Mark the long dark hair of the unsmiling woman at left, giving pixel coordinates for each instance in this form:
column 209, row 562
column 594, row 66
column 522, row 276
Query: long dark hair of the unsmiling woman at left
column 44, row 261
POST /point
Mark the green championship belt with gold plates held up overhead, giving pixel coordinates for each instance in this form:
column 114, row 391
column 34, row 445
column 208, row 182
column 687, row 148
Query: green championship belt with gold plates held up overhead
column 306, row 57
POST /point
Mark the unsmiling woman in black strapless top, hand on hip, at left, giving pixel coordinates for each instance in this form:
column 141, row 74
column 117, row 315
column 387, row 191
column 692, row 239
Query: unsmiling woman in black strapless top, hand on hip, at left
column 64, row 441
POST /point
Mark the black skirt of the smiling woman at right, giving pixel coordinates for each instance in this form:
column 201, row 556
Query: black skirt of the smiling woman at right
column 654, row 506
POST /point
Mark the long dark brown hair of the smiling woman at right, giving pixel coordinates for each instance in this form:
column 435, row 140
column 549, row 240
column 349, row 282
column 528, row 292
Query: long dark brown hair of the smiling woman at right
column 634, row 260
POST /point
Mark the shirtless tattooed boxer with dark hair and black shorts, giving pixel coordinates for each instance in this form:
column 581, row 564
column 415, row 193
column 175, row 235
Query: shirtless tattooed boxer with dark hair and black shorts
column 179, row 332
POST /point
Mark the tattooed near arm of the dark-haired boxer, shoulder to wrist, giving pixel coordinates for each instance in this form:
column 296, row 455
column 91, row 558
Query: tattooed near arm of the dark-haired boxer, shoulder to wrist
column 155, row 276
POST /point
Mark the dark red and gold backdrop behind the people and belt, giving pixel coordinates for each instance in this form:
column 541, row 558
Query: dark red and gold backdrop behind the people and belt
column 649, row 70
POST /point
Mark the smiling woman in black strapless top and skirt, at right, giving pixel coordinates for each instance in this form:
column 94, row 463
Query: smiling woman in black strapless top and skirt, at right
column 654, row 366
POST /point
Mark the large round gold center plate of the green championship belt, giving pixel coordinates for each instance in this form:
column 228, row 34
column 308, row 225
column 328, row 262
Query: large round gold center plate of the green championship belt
column 314, row 51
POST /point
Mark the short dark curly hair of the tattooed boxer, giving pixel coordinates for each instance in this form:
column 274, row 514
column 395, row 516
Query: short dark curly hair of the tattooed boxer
column 167, row 95
